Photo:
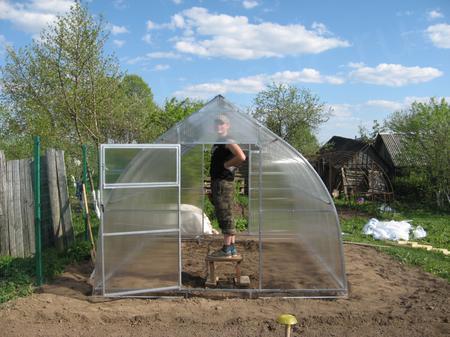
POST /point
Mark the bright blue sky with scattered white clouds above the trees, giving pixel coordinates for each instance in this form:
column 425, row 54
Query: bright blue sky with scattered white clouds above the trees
column 364, row 59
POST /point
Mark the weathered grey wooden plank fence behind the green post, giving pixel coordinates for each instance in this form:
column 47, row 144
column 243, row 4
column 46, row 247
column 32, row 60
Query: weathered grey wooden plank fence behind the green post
column 17, row 214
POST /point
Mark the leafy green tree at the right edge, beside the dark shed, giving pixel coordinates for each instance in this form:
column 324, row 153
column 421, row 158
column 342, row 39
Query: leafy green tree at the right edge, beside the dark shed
column 426, row 145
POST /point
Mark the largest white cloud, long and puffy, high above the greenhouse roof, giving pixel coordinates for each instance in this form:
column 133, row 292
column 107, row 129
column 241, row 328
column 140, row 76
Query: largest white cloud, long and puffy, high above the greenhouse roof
column 220, row 35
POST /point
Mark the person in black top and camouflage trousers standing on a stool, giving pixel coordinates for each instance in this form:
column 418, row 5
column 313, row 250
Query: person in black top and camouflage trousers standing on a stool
column 226, row 156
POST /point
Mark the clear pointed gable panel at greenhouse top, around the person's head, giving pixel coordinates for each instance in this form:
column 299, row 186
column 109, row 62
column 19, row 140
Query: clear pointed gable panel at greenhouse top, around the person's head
column 200, row 126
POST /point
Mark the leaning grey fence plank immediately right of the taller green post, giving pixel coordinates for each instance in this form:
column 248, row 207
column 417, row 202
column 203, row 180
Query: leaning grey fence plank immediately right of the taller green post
column 54, row 199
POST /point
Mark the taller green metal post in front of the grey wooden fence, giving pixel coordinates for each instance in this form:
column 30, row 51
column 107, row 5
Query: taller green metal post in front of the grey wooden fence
column 37, row 209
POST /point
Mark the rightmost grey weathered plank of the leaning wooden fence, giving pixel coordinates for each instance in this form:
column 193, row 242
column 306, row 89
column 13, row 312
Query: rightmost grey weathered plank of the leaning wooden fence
column 65, row 211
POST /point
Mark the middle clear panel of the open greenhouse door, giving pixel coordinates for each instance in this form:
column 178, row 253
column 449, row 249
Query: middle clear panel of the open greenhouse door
column 140, row 209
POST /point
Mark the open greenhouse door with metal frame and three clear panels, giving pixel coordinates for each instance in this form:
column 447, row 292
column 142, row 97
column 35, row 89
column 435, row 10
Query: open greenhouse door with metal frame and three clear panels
column 140, row 227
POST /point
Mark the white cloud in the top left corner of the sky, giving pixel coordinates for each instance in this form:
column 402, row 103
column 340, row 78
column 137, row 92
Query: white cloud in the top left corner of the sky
column 32, row 16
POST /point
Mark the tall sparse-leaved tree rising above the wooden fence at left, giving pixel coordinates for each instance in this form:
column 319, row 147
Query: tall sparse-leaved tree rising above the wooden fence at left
column 62, row 87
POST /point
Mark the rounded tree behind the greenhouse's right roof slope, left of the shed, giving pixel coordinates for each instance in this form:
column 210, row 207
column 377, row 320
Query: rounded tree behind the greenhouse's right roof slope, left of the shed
column 293, row 114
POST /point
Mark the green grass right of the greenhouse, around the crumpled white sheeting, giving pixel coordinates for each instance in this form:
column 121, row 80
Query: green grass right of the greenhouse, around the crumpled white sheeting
column 435, row 223
